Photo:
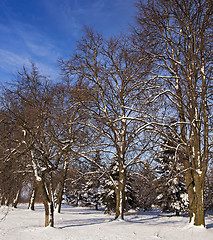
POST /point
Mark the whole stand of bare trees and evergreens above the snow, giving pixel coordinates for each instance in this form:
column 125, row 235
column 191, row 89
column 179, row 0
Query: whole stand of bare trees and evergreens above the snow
column 128, row 125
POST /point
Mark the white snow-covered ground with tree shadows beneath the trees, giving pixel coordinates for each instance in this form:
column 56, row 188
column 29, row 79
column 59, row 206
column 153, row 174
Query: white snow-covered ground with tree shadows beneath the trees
column 83, row 223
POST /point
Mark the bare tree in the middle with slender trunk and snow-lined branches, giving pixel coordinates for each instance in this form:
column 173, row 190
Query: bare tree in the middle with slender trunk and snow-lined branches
column 113, row 88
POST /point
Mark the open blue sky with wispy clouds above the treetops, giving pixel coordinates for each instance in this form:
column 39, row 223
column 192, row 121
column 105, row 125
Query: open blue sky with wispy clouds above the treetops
column 41, row 31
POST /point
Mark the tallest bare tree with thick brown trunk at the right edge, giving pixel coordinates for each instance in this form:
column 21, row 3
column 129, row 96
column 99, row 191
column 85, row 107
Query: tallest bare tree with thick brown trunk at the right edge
column 177, row 34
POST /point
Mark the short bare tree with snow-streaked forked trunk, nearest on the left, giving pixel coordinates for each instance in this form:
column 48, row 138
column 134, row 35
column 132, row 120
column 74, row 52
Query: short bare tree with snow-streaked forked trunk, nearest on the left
column 31, row 103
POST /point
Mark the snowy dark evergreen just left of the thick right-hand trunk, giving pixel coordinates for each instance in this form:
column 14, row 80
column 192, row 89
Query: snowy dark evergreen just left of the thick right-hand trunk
column 171, row 189
